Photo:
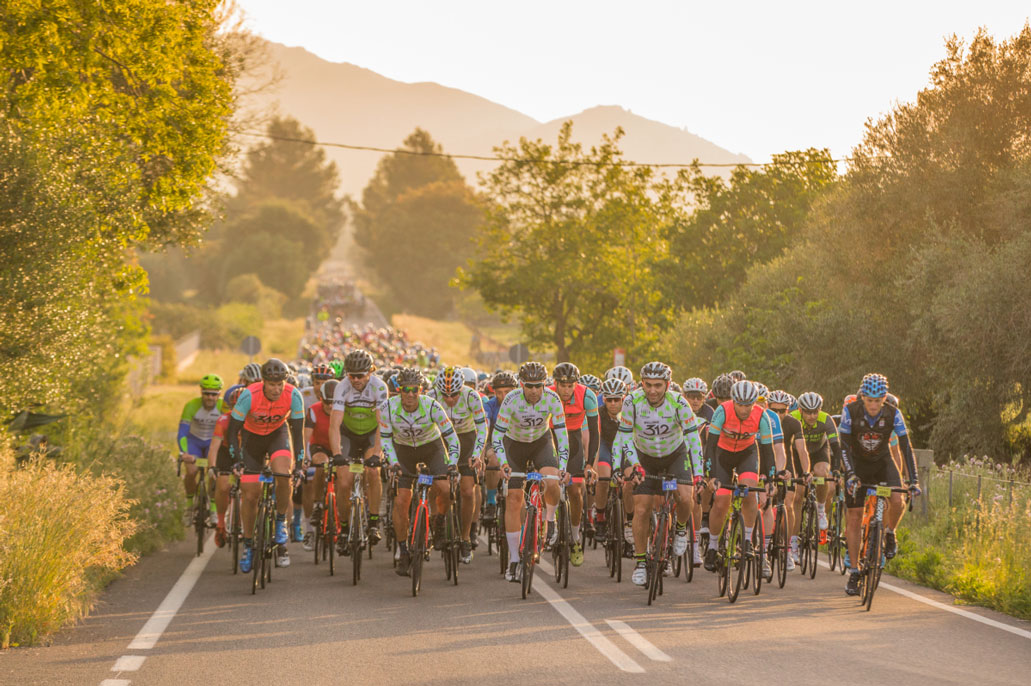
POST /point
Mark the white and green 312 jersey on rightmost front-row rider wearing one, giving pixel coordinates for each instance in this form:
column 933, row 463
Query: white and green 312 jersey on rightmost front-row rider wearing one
column 657, row 431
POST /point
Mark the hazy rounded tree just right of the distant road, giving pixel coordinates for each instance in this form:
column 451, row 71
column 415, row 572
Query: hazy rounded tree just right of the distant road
column 417, row 210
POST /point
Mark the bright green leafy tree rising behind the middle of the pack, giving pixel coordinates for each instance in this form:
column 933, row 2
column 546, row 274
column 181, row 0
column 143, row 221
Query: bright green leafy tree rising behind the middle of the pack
column 570, row 244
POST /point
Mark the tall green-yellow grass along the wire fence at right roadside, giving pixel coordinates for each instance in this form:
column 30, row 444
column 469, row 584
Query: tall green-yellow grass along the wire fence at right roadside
column 979, row 550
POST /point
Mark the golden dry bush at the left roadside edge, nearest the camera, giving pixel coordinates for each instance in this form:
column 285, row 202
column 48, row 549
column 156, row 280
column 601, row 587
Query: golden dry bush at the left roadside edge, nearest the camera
column 62, row 532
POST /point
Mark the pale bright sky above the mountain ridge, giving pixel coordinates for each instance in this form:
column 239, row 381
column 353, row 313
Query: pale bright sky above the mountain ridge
column 755, row 78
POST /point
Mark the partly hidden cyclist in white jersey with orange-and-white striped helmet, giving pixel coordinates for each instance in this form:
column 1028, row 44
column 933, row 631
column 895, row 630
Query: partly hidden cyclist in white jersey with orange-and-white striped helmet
column 465, row 410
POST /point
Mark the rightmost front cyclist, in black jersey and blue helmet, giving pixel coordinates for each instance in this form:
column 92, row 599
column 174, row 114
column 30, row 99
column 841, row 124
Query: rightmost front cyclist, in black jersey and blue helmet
column 867, row 429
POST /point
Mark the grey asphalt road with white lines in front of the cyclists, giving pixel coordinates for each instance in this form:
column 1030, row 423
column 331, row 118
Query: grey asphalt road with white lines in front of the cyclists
column 309, row 628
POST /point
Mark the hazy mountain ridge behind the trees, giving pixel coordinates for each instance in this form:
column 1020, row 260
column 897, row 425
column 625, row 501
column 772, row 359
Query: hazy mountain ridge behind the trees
column 349, row 105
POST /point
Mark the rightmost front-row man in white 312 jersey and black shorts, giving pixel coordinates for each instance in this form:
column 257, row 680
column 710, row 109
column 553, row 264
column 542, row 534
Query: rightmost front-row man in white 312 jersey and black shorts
column 659, row 435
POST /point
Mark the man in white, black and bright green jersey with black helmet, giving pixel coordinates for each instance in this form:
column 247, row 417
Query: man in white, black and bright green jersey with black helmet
column 354, row 436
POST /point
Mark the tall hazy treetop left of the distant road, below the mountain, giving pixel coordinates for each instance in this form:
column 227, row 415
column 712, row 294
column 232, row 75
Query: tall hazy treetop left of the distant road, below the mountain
column 290, row 168
